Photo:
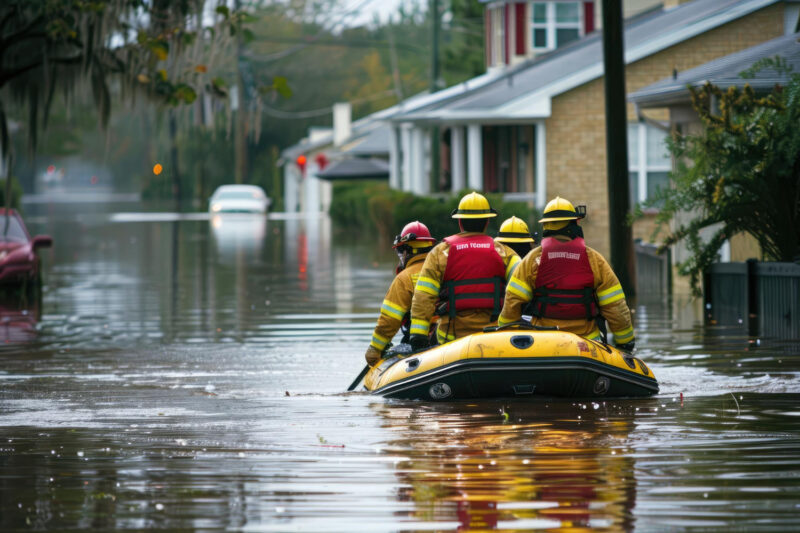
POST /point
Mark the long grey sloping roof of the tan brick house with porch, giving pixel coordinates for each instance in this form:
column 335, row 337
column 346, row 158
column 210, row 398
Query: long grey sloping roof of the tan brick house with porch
column 526, row 91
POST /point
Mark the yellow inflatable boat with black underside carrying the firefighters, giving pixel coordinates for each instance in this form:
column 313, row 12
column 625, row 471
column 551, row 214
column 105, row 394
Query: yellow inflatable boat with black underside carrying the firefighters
column 512, row 362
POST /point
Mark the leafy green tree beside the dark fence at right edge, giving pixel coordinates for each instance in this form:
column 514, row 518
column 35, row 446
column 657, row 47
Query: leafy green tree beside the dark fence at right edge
column 740, row 173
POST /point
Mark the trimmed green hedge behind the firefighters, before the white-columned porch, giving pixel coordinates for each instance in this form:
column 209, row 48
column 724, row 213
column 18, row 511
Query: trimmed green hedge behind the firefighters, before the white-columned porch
column 372, row 204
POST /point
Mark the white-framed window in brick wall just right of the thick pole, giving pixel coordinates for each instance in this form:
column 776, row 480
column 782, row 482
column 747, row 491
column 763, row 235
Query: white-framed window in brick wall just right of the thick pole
column 648, row 160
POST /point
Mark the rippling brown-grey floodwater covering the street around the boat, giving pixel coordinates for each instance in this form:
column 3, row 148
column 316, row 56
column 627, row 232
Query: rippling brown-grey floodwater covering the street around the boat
column 188, row 373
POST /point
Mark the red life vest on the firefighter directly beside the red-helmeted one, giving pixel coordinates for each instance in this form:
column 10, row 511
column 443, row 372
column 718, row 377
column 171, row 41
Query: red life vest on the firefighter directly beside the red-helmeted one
column 474, row 277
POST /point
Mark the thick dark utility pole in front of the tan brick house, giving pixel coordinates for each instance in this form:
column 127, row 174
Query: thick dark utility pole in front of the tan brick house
column 621, row 236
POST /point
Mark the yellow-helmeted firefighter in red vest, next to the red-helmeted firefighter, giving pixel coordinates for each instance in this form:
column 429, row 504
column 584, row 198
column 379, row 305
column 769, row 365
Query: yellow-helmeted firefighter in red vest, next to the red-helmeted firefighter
column 463, row 278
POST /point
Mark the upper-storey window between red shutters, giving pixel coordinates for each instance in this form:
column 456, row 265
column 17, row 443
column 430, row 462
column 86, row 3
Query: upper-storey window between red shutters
column 555, row 24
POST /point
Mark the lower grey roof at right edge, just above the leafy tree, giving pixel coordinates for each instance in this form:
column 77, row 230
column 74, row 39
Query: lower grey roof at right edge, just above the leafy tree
column 725, row 72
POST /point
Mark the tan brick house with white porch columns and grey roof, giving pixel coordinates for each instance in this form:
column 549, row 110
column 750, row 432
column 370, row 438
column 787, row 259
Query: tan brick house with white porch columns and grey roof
column 537, row 129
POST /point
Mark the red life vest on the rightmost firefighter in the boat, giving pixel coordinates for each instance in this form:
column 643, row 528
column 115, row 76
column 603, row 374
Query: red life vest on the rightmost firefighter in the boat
column 564, row 282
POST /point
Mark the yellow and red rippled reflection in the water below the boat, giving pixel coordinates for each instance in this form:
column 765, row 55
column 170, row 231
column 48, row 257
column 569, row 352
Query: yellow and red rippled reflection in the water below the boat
column 523, row 466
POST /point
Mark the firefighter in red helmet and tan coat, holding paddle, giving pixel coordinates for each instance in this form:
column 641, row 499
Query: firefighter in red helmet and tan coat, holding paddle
column 412, row 246
